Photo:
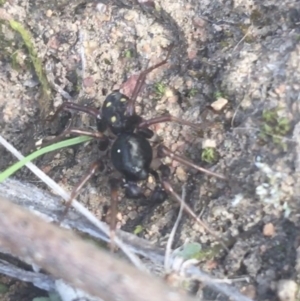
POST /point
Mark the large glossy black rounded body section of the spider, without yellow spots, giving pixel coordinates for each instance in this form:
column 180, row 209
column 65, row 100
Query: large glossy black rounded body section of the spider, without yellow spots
column 131, row 155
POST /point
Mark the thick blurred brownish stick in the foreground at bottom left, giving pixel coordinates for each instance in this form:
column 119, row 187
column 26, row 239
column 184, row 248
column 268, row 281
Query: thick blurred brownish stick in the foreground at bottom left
column 79, row 263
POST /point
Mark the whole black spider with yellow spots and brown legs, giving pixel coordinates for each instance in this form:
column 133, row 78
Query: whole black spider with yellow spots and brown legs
column 131, row 152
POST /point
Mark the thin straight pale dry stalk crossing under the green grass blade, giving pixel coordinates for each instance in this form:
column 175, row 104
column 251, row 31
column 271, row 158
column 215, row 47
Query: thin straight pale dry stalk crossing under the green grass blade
column 80, row 208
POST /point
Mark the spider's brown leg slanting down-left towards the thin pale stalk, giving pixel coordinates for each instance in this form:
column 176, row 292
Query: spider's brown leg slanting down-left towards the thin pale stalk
column 97, row 165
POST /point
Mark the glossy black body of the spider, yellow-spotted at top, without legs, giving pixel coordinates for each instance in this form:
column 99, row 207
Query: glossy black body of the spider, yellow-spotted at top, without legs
column 131, row 152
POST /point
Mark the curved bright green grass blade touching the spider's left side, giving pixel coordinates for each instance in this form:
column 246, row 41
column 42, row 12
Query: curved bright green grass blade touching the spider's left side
column 12, row 169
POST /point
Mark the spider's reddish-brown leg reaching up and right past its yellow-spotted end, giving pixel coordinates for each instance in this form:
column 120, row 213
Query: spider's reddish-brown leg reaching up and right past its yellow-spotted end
column 140, row 81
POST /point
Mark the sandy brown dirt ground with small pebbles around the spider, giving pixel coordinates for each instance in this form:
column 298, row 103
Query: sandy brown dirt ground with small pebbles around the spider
column 247, row 52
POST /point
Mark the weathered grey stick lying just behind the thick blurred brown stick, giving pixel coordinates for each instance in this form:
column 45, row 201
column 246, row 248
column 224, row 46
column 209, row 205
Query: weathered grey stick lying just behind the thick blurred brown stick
column 50, row 208
